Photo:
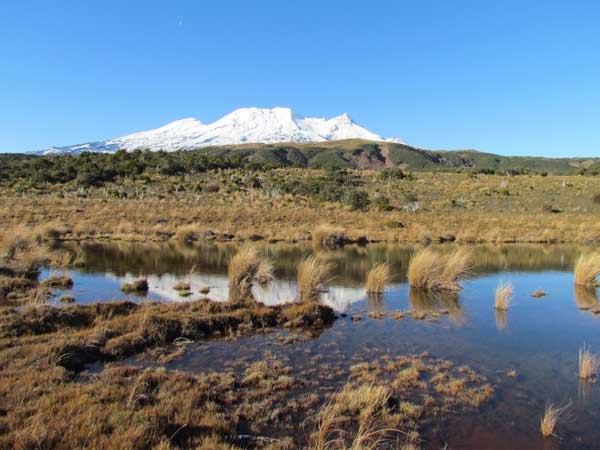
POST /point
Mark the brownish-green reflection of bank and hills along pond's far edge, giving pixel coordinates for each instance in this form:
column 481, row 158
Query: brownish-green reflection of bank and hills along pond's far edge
column 351, row 263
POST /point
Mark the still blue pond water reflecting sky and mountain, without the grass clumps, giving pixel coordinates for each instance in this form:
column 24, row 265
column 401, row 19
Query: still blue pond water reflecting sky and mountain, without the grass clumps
column 537, row 338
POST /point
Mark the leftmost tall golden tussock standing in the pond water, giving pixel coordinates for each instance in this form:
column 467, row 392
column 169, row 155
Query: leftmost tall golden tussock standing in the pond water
column 246, row 267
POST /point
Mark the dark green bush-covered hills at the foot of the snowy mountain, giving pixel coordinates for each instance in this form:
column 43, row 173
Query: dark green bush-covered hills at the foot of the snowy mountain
column 339, row 154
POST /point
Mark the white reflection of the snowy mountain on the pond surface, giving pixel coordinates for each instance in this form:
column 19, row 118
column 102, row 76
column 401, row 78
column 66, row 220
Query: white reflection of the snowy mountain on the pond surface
column 277, row 292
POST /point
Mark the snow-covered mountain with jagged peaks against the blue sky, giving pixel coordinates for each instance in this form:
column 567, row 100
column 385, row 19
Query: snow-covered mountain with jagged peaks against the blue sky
column 243, row 126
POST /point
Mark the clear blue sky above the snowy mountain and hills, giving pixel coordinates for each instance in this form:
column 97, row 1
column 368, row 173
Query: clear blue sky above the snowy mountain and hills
column 510, row 77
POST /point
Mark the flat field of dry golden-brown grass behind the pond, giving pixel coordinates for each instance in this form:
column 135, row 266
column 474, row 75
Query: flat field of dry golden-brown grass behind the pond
column 488, row 215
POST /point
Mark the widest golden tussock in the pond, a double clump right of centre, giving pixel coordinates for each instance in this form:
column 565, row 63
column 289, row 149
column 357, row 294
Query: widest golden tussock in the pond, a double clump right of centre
column 428, row 269
